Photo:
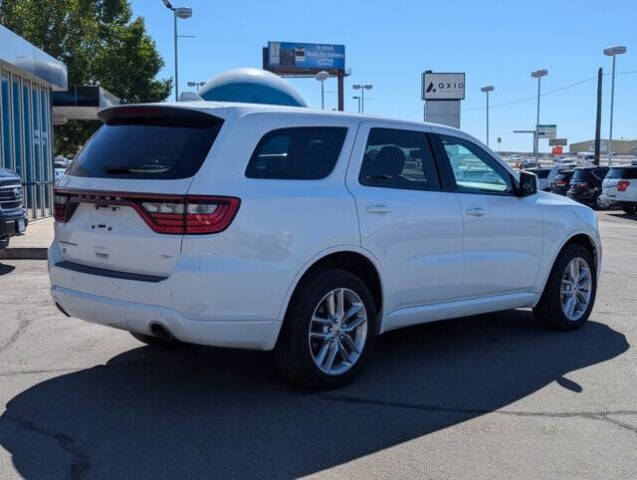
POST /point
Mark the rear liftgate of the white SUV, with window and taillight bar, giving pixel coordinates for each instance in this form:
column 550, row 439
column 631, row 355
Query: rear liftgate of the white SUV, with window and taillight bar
column 123, row 204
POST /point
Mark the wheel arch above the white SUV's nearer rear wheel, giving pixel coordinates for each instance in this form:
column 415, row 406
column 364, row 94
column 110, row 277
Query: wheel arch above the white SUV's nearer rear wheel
column 352, row 259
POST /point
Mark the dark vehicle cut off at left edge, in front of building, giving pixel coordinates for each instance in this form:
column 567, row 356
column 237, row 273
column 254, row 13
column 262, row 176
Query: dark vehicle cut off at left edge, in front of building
column 12, row 214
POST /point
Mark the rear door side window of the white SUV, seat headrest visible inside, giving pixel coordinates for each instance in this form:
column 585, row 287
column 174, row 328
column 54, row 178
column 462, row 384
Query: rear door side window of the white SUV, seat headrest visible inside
column 398, row 159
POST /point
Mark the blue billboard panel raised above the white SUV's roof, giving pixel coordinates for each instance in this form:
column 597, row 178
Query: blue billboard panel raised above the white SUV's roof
column 288, row 57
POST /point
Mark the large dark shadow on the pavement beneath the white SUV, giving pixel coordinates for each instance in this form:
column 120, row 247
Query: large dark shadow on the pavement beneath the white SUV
column 197, row 412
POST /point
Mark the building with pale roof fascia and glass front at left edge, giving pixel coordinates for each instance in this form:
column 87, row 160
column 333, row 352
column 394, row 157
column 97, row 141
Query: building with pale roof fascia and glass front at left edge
column 34, row 95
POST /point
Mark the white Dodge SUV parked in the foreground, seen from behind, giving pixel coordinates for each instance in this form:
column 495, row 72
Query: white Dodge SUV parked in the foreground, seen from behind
column 306, row 232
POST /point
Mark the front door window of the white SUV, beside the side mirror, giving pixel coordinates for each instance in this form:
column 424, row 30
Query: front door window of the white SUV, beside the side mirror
column 475, row 171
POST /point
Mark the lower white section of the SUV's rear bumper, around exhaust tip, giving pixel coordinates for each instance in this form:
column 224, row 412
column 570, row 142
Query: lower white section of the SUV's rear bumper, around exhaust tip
column 137, row 317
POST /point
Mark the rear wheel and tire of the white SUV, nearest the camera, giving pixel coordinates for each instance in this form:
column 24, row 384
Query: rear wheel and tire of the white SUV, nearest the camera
column 329, row 331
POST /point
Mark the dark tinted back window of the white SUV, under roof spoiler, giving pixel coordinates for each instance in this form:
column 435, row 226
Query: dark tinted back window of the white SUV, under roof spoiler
column 148, row 147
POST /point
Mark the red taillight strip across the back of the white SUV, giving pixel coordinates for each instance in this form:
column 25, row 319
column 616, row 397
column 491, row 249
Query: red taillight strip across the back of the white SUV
column 170, row 214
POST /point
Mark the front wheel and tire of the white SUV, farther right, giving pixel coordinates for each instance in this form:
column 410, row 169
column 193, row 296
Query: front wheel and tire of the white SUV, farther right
column 569, row 294
